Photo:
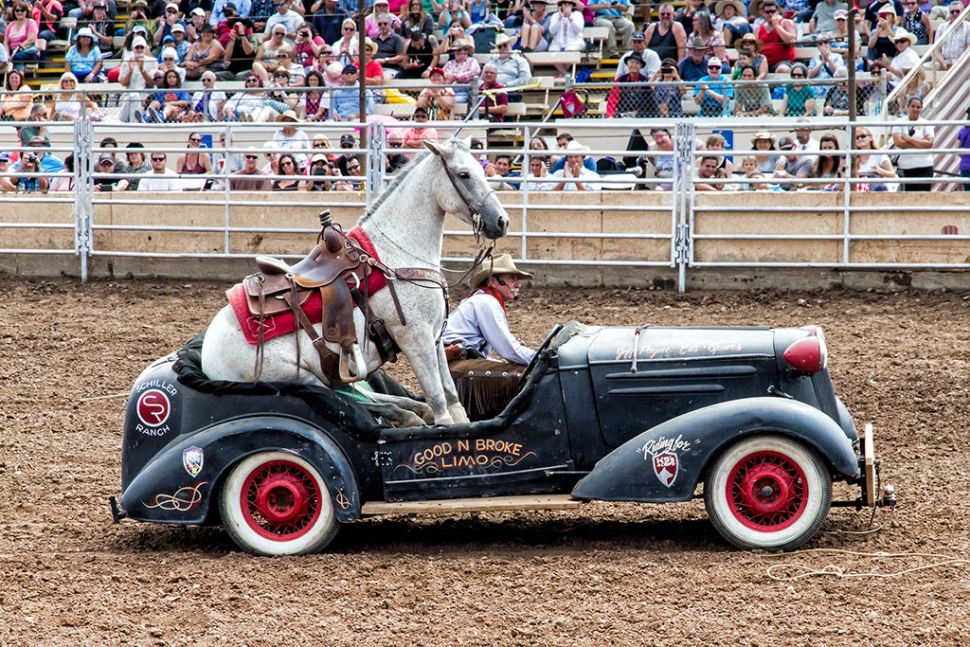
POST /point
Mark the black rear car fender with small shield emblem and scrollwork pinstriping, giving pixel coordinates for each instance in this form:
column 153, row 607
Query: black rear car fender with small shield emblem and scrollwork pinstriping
column 178, row 484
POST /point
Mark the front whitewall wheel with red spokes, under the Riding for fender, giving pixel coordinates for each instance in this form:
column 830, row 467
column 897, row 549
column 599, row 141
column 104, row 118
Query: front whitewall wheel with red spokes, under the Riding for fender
column 768, row 492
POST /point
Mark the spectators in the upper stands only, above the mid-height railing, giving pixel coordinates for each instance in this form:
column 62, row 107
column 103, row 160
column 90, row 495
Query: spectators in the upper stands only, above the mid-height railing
column 281, row 49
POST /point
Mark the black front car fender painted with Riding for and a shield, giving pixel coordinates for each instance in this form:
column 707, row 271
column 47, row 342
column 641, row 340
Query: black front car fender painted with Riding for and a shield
column 665, row 463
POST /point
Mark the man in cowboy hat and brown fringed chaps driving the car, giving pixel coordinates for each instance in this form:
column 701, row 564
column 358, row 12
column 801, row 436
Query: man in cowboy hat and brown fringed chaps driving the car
column 477, row 328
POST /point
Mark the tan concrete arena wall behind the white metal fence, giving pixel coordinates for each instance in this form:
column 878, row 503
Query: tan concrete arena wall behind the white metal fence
column 716, row 216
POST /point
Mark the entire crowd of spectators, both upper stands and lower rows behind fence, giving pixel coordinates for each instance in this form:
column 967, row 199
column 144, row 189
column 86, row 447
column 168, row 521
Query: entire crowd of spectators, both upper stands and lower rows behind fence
column 299, row 61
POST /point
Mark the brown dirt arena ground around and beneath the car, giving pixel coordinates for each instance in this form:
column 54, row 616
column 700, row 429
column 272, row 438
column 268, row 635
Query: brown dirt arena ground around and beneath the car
column 610, row 575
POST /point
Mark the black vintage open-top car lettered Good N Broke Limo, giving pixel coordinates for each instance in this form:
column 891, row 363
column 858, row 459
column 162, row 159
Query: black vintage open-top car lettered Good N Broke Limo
column 611, row 414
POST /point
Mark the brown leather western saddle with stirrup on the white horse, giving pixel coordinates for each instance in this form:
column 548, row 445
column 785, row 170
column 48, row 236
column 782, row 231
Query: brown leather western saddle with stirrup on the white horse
column 331, row 268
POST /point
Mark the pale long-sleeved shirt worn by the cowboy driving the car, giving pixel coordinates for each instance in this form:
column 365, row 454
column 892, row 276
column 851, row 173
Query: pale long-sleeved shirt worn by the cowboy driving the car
column 480, row 321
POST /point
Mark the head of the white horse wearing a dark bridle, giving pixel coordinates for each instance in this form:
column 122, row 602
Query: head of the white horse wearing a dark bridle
column 472, row 199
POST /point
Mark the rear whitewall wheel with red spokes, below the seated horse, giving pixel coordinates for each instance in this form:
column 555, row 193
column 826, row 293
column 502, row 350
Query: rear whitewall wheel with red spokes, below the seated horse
column 275, row 503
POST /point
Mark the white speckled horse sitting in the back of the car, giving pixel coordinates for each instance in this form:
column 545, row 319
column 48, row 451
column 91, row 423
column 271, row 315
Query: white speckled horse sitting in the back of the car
column 406, row 227
